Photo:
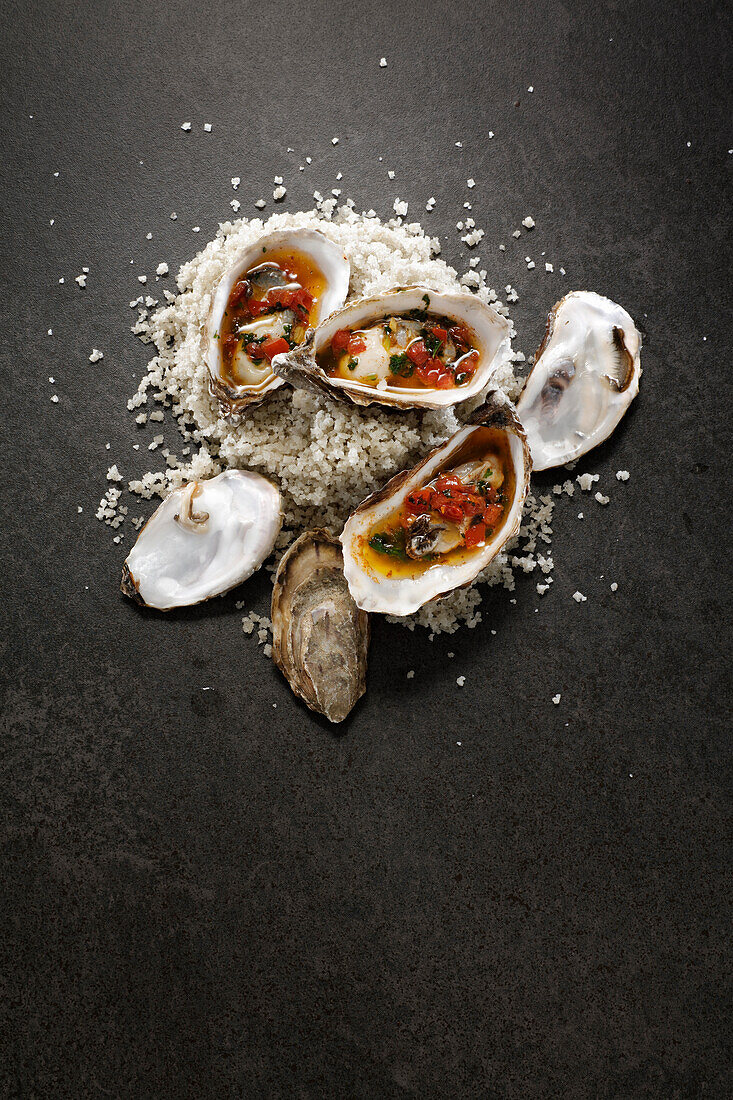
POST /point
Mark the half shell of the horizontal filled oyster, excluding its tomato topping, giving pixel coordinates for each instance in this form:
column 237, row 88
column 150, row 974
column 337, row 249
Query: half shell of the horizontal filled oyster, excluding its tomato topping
column 305, row 366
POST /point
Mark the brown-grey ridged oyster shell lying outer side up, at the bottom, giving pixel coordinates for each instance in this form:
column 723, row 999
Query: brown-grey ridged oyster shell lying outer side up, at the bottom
column 320, row 636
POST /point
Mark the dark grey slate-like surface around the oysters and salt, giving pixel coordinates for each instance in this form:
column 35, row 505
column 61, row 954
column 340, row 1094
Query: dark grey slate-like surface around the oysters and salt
column 205, row 896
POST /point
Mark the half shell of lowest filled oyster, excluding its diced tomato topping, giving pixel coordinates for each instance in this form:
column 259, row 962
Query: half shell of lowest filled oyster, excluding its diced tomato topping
column 494, row 438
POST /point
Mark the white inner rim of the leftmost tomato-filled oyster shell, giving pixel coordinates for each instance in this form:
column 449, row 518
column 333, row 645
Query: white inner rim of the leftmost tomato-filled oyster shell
column 326, row 256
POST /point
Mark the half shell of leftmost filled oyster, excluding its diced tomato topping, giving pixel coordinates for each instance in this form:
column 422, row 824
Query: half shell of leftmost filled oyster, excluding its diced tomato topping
column 238, row 381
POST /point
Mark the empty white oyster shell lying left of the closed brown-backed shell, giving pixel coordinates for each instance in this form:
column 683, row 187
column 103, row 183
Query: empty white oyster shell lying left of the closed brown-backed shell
column 206, row 538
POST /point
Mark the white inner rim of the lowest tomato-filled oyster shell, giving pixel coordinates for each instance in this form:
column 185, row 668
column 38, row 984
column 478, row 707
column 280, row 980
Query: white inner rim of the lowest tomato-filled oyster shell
column 399, row 596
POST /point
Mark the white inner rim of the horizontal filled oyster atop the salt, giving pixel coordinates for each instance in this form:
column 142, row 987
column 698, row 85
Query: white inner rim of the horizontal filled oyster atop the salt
column 491, row 329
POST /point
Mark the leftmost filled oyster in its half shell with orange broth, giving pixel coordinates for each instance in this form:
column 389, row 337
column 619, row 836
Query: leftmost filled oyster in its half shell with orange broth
column 288, row 261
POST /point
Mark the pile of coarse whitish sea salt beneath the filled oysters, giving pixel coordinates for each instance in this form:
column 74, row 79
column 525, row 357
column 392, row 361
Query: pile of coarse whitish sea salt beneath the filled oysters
column 325, row 457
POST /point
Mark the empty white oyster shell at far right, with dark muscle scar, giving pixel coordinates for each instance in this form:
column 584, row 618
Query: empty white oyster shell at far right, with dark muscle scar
column 585, row 378
